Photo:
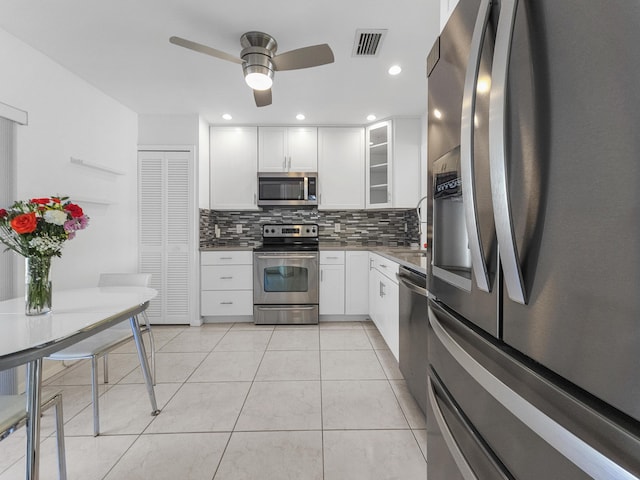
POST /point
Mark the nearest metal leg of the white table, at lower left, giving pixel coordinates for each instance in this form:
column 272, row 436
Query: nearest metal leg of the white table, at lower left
column 33, row 394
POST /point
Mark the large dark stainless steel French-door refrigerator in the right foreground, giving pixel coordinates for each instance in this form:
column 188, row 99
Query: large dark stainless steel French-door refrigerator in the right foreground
column 534, row 308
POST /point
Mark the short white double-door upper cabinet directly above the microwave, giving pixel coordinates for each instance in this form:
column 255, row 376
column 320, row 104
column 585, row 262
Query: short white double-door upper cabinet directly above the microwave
column 287, row 149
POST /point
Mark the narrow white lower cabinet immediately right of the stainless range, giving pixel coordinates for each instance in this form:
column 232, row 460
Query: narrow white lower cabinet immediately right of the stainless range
column 332, row 292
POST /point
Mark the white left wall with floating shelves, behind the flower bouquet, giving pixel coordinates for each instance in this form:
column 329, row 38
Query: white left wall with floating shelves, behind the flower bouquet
column 70, row 118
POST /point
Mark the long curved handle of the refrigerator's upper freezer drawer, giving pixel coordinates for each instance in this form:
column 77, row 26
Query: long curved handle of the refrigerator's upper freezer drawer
column 573, row 448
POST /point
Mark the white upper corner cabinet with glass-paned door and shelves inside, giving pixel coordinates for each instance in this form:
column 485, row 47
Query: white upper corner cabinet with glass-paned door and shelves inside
column 393, row 163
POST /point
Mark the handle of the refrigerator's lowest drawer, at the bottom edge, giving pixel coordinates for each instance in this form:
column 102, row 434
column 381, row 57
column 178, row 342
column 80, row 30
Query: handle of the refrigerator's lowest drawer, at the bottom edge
column 458, row 456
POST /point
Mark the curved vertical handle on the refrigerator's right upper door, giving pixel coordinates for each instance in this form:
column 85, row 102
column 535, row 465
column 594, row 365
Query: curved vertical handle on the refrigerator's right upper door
column 497, row 156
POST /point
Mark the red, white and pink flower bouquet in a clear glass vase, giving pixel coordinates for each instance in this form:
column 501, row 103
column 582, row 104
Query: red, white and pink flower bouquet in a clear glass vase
column 37, row 230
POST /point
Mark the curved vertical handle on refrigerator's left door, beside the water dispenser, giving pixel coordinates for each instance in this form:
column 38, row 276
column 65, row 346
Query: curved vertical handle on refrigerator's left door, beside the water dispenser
column 466, row 149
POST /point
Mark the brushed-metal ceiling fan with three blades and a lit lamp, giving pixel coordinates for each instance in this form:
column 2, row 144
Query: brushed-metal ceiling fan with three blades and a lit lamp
column 259, row 60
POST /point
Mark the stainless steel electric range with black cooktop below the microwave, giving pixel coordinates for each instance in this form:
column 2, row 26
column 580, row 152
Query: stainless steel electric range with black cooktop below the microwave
column 285, row 275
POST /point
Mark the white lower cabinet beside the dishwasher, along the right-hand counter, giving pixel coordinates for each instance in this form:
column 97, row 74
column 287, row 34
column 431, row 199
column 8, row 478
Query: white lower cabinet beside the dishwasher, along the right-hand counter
column 384, row 299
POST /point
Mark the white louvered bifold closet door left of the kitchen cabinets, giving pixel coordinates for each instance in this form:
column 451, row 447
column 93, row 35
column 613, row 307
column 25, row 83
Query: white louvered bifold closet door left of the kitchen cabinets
column 167, row 232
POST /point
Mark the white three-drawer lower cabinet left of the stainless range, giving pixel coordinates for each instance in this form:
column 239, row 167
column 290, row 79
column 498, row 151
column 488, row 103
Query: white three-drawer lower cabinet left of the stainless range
column 226, row 284
